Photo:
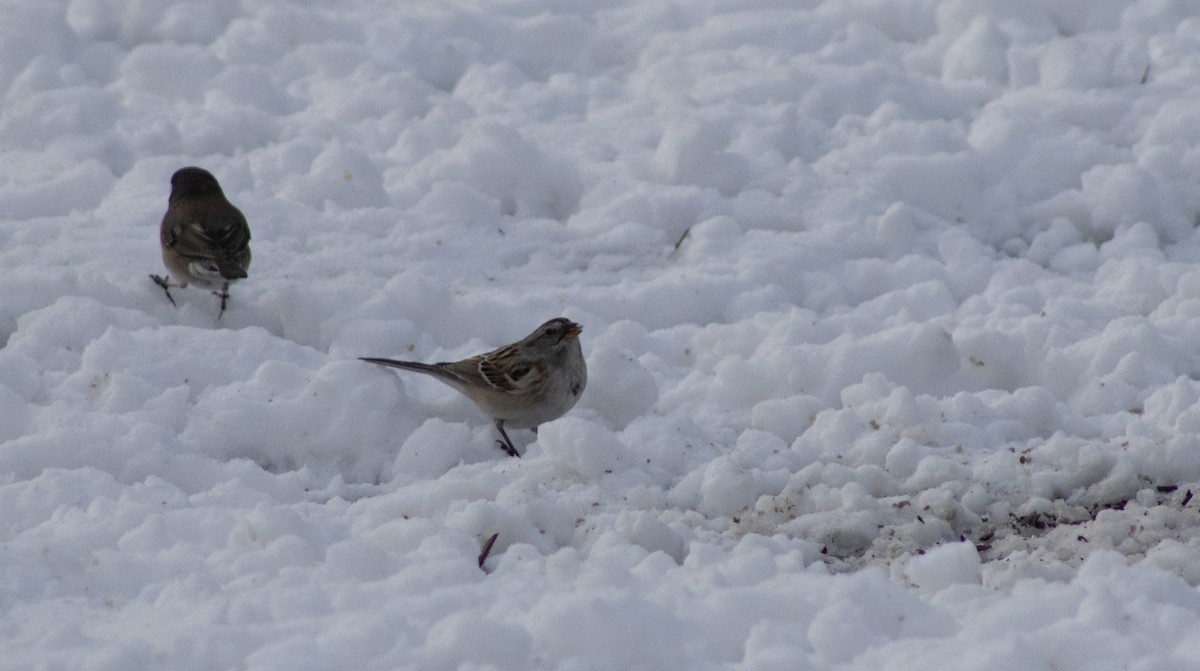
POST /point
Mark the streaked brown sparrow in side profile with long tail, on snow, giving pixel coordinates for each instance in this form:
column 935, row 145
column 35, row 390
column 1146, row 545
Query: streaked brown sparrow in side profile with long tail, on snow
column 530, row 382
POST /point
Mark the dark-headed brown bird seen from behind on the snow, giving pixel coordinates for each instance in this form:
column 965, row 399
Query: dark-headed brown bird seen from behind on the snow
column 205, row 238
